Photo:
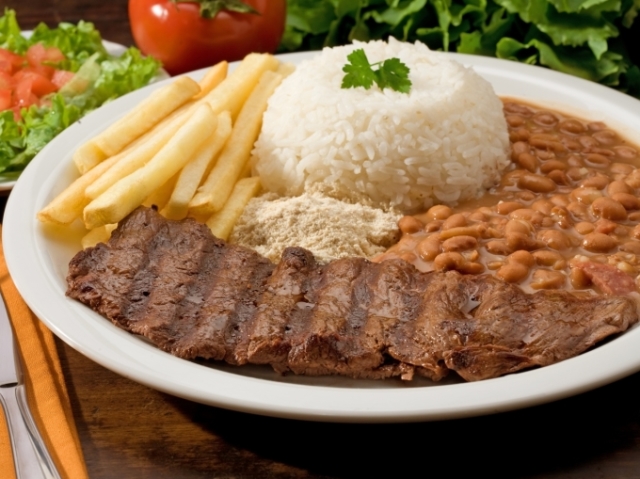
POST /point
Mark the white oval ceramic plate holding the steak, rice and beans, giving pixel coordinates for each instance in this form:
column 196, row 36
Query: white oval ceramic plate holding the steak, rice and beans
column 38, row 258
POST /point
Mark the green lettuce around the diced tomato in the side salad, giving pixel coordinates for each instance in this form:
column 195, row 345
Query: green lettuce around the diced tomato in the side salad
column 107, row 77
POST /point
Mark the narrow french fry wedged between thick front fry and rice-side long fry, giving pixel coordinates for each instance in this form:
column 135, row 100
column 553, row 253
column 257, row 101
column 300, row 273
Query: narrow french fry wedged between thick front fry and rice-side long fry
column 193, row 172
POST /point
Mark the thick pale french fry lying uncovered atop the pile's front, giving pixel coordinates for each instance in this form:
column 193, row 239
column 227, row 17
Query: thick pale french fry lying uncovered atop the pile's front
column 128, row 193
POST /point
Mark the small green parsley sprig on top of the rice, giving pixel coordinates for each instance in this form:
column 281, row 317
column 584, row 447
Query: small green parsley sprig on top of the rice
column 391, row 73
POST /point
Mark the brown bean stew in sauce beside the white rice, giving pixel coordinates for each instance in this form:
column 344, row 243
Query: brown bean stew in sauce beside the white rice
column 565, row 215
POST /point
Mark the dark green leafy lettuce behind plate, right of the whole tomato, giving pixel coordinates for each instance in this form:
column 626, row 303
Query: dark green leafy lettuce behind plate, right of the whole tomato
column 594, row 39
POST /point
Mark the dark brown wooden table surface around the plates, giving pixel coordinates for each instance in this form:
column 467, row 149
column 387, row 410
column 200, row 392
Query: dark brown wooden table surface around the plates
column 130, row 431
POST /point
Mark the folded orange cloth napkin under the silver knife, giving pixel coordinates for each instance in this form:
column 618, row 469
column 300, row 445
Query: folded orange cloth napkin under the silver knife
column 46, row 389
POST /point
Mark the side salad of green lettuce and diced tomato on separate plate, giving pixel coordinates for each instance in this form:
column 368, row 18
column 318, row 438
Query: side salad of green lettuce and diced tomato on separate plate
column 51, row 78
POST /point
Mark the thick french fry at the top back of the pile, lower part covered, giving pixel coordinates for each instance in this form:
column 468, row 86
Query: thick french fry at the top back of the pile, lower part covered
column 232, row 93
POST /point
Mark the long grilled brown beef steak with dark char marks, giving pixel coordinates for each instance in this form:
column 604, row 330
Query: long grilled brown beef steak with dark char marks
column 194, row 295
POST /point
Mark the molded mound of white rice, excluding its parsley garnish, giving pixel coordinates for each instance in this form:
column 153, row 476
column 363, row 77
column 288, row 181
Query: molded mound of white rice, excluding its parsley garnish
column 444, row 142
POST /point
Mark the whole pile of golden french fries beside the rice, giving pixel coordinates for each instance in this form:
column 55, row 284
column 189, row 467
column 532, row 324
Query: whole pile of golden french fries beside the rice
column 185, row 149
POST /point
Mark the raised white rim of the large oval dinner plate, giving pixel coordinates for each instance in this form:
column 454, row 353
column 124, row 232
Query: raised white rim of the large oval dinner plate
column 28, row 266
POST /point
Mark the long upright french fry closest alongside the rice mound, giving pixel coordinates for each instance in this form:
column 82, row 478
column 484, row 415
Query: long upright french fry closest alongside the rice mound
column 213, row 194
